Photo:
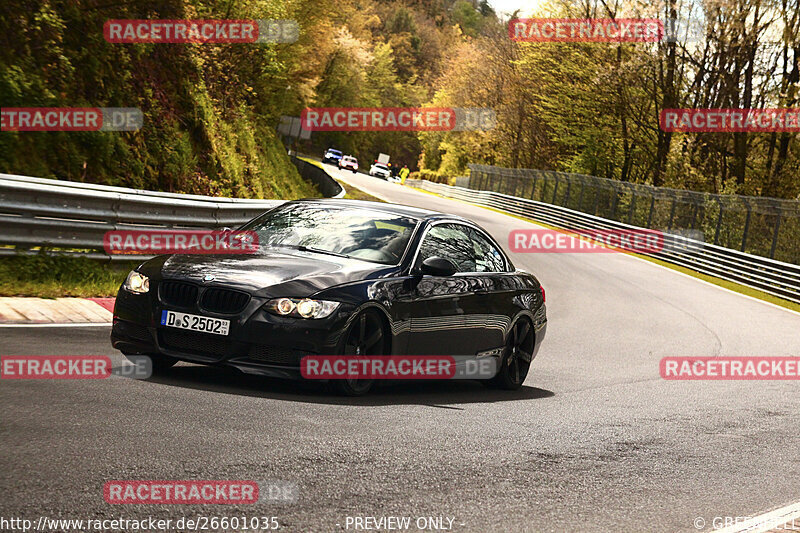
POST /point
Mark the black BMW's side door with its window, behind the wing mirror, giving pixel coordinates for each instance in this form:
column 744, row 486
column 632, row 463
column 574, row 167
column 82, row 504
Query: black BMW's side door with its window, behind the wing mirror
column 436, row 304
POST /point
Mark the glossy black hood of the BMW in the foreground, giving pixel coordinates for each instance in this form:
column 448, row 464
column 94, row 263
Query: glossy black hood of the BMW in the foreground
column 269, row 274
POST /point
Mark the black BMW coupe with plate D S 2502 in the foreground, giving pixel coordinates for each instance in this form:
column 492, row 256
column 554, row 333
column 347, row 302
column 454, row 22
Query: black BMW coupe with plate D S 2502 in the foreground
column 337, row 277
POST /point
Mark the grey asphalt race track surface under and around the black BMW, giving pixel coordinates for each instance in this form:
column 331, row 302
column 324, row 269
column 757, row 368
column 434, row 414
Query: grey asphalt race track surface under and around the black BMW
column 595, row 441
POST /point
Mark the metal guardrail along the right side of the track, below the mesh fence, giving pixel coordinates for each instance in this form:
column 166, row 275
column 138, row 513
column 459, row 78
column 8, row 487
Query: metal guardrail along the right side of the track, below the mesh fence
column 770, row 276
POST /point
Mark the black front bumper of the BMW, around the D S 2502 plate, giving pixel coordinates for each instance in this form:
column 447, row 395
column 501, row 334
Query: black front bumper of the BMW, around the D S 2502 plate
column 258, row 342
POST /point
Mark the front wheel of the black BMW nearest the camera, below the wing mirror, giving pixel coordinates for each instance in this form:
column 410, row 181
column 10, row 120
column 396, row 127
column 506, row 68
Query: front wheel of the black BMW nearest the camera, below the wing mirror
column 365, row 336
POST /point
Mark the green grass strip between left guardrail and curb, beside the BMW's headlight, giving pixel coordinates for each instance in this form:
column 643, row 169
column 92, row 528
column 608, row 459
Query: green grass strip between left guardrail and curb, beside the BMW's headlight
column 58, row 276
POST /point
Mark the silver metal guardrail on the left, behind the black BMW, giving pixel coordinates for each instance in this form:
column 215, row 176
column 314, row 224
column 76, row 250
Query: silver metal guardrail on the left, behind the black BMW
column 43, row 213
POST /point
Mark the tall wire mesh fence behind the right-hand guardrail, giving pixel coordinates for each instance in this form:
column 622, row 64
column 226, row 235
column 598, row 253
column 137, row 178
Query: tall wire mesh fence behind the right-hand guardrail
column 757, row 225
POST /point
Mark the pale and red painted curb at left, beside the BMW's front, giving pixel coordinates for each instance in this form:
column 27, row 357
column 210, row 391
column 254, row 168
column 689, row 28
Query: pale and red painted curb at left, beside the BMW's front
column 56, row 311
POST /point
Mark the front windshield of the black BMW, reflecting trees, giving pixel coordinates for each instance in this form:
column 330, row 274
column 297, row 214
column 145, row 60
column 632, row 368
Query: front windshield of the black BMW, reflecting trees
column 360, row 233
